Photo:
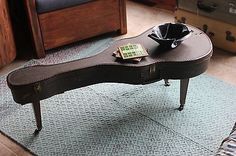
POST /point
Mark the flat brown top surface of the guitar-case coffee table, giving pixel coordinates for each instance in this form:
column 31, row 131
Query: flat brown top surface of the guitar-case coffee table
column 194, row 50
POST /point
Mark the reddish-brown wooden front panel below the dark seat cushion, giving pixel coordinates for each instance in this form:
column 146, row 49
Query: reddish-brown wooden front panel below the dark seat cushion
column 76, row 23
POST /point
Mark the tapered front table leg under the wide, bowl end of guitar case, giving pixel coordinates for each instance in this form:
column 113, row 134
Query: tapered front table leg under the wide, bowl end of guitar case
column 183, row 92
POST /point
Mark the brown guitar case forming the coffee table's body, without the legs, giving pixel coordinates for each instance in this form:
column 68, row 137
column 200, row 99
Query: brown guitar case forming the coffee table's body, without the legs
column 187, row 60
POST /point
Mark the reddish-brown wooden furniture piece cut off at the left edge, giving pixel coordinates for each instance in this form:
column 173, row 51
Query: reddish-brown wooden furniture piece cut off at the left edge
column 7, row 45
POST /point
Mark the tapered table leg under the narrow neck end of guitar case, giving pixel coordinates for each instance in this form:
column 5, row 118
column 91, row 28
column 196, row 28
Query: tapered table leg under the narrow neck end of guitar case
column 37, row 114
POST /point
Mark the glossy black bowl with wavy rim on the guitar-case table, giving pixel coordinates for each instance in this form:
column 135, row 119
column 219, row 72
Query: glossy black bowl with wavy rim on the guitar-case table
column 170, row 35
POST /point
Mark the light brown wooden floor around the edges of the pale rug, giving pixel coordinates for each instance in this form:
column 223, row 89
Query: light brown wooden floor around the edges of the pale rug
column 139, row 18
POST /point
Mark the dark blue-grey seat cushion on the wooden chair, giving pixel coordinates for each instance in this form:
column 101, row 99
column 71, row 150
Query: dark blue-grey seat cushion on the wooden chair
column 51, row 5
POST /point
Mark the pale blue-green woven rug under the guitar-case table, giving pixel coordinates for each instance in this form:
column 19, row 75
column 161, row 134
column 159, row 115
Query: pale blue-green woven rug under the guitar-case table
column 121, row 119
